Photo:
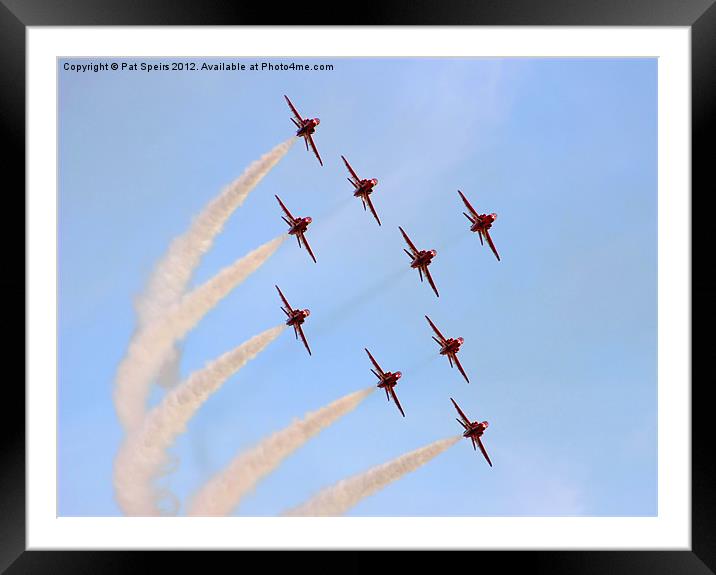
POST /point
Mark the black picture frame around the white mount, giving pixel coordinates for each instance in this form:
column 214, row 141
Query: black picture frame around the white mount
column 699, row 15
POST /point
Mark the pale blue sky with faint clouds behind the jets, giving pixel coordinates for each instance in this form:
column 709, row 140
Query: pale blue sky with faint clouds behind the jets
column 560, row 336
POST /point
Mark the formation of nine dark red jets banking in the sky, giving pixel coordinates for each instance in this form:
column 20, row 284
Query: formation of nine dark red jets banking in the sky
column 419, row 260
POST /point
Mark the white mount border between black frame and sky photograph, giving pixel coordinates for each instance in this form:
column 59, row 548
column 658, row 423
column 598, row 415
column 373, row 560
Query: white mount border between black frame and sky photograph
column 670, row 530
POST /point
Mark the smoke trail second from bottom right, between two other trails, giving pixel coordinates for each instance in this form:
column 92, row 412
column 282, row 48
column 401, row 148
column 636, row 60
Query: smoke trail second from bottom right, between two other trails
column 225, row 490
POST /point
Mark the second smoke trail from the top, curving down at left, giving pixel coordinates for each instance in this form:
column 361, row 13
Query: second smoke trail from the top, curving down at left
column 151, row 345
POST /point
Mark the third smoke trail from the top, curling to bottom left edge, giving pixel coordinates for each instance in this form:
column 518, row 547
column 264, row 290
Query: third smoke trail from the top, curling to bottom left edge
column 143, row 457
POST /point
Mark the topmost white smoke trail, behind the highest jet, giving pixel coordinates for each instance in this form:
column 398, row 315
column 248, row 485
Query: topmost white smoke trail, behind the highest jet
column 174, row 271
